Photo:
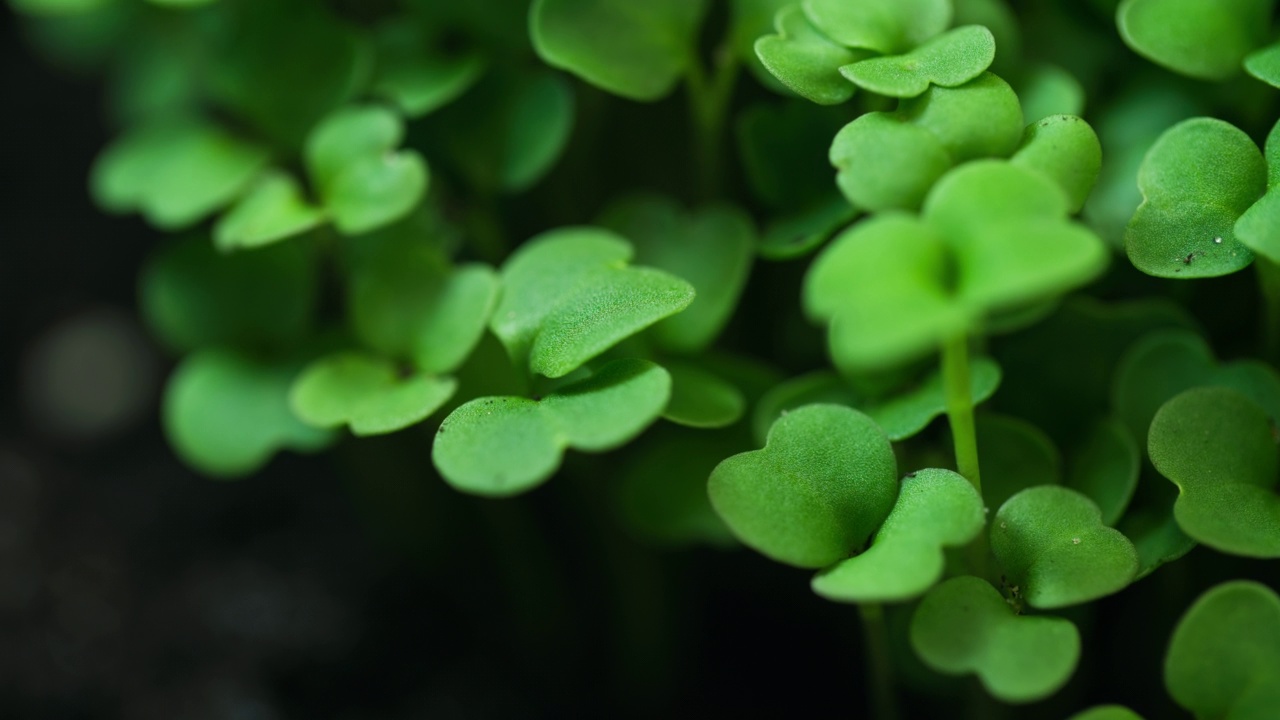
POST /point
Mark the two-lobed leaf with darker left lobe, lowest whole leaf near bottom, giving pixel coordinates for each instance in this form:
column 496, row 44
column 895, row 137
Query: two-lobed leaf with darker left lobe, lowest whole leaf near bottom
column 964, row 627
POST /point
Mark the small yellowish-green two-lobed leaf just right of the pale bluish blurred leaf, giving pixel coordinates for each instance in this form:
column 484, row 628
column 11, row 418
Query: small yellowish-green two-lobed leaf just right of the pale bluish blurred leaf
column 365, row 393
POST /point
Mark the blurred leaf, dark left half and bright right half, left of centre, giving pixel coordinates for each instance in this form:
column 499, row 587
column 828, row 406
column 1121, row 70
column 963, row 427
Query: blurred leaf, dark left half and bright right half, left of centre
column 406, row 302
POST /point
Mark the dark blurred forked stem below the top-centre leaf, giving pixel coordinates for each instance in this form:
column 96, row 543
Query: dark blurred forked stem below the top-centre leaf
column 708, row 106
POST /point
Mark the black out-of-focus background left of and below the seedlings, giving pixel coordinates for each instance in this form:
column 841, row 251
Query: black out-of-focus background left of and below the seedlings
column 353, row 585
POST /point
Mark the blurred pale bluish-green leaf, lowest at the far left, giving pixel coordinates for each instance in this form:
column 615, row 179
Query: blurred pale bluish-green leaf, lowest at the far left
column 227, row 416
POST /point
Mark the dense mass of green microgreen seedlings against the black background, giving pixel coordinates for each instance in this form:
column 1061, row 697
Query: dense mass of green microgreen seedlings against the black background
column 874, row 298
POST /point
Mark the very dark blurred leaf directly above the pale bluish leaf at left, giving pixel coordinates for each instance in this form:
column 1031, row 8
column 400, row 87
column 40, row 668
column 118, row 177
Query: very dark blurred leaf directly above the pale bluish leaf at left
column 193, row 297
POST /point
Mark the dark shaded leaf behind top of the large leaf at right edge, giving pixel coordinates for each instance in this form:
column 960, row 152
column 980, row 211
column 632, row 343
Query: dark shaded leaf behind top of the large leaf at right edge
column 1163, row 364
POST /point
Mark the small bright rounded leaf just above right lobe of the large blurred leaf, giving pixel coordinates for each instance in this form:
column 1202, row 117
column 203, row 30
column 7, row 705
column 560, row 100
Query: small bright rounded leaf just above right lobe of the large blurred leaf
column 1066, row 149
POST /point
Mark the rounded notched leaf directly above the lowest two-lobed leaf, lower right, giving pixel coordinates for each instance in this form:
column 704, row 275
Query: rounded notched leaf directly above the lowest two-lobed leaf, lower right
column 1053, row 545
